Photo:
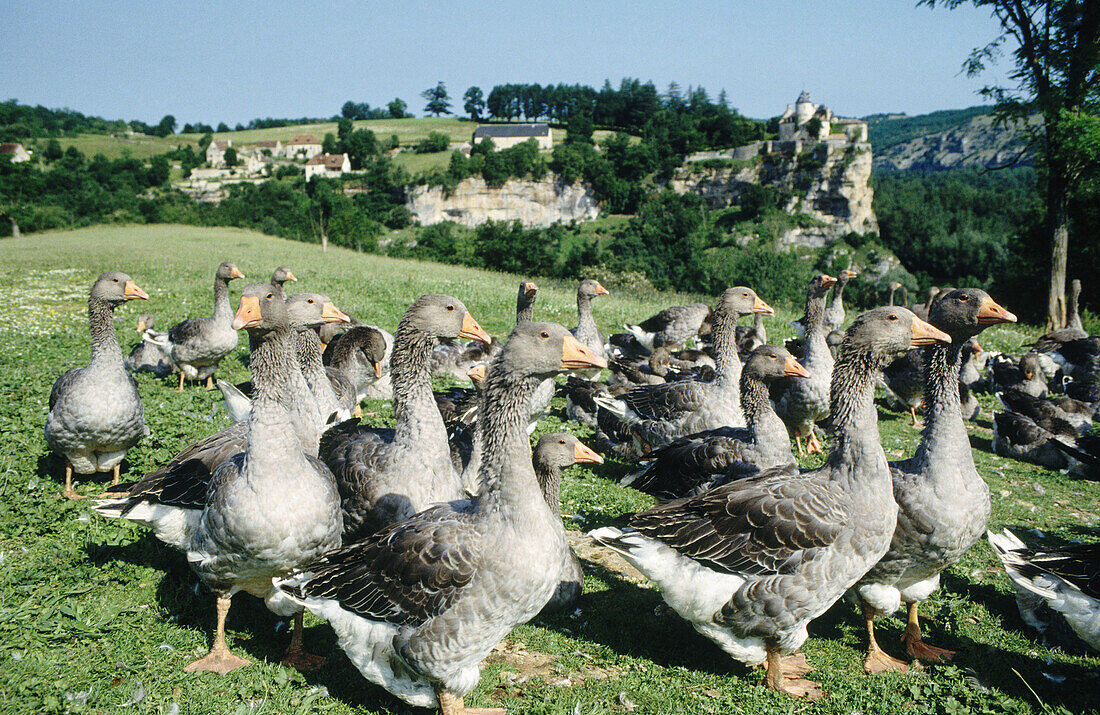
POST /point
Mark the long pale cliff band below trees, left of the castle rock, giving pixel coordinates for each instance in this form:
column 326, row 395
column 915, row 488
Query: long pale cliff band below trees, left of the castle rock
column 535, row 204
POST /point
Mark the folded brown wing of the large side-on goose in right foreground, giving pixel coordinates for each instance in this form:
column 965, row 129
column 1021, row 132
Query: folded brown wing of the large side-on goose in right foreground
column 767, row 524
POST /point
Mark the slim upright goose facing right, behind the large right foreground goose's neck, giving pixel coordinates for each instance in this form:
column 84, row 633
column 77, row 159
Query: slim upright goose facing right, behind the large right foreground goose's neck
column 802, row 403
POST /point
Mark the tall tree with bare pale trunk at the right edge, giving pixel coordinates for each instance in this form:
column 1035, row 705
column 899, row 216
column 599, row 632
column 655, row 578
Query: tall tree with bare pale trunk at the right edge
column 1058, row 75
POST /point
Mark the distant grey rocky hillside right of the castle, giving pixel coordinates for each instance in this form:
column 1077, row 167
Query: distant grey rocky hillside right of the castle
column 975, row 144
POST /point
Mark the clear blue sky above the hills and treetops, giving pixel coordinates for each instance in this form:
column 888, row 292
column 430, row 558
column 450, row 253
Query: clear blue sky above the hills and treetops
column 237, row 61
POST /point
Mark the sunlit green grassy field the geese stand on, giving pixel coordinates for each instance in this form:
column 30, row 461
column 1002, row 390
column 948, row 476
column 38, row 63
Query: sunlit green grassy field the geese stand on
column 96, row 615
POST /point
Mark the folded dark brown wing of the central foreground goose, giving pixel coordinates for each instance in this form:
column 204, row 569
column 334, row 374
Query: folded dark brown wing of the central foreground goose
column 405, row 575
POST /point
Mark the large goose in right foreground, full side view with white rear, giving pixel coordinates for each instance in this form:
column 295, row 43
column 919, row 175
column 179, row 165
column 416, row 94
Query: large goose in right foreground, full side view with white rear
column 752, row 563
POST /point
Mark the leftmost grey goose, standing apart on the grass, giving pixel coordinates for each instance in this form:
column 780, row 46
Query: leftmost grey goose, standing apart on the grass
column 95, row 412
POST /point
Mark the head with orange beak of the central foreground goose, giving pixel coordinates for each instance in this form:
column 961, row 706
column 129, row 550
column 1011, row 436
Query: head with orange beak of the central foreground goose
column 543, row 350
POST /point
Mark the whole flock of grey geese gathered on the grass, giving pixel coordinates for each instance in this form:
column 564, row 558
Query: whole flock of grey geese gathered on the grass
column 426, row 544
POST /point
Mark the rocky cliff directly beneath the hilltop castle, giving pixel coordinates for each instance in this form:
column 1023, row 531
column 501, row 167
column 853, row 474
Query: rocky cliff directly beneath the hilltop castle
column 828, row 181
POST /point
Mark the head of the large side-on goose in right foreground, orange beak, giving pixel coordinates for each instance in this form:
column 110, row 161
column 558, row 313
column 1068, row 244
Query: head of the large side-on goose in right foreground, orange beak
column 884, row 335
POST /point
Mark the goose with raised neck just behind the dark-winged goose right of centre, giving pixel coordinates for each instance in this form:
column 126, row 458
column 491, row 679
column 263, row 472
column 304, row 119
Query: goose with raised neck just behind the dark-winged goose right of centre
column 659, row 414
